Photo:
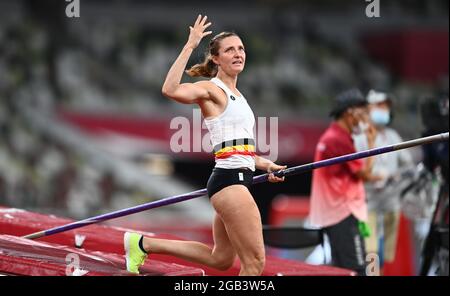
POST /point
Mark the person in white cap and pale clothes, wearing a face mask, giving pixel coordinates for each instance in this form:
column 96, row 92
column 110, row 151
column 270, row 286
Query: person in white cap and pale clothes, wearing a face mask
column 383, row 196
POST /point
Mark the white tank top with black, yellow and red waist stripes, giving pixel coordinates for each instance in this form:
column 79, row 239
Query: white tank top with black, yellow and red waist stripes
column 236, row 122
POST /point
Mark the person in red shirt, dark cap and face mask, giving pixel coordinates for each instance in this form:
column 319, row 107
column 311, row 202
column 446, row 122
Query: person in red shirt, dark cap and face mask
column 338, row 200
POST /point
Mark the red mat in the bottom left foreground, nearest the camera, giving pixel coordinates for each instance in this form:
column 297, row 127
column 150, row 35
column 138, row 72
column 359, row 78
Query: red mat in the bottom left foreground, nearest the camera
column 21, row 256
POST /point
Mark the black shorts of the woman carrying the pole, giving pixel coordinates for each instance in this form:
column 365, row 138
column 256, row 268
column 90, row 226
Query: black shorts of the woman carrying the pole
column 221, row 178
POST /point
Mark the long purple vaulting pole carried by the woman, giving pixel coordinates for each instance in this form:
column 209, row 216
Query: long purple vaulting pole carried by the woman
column 256, row 180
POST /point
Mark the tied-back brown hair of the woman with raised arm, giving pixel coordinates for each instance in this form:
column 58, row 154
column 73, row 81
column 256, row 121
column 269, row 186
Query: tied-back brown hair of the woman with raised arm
column 208, row 68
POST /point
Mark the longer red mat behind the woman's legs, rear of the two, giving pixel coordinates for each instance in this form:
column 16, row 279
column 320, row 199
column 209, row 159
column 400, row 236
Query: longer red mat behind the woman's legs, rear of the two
column 108, row 241
